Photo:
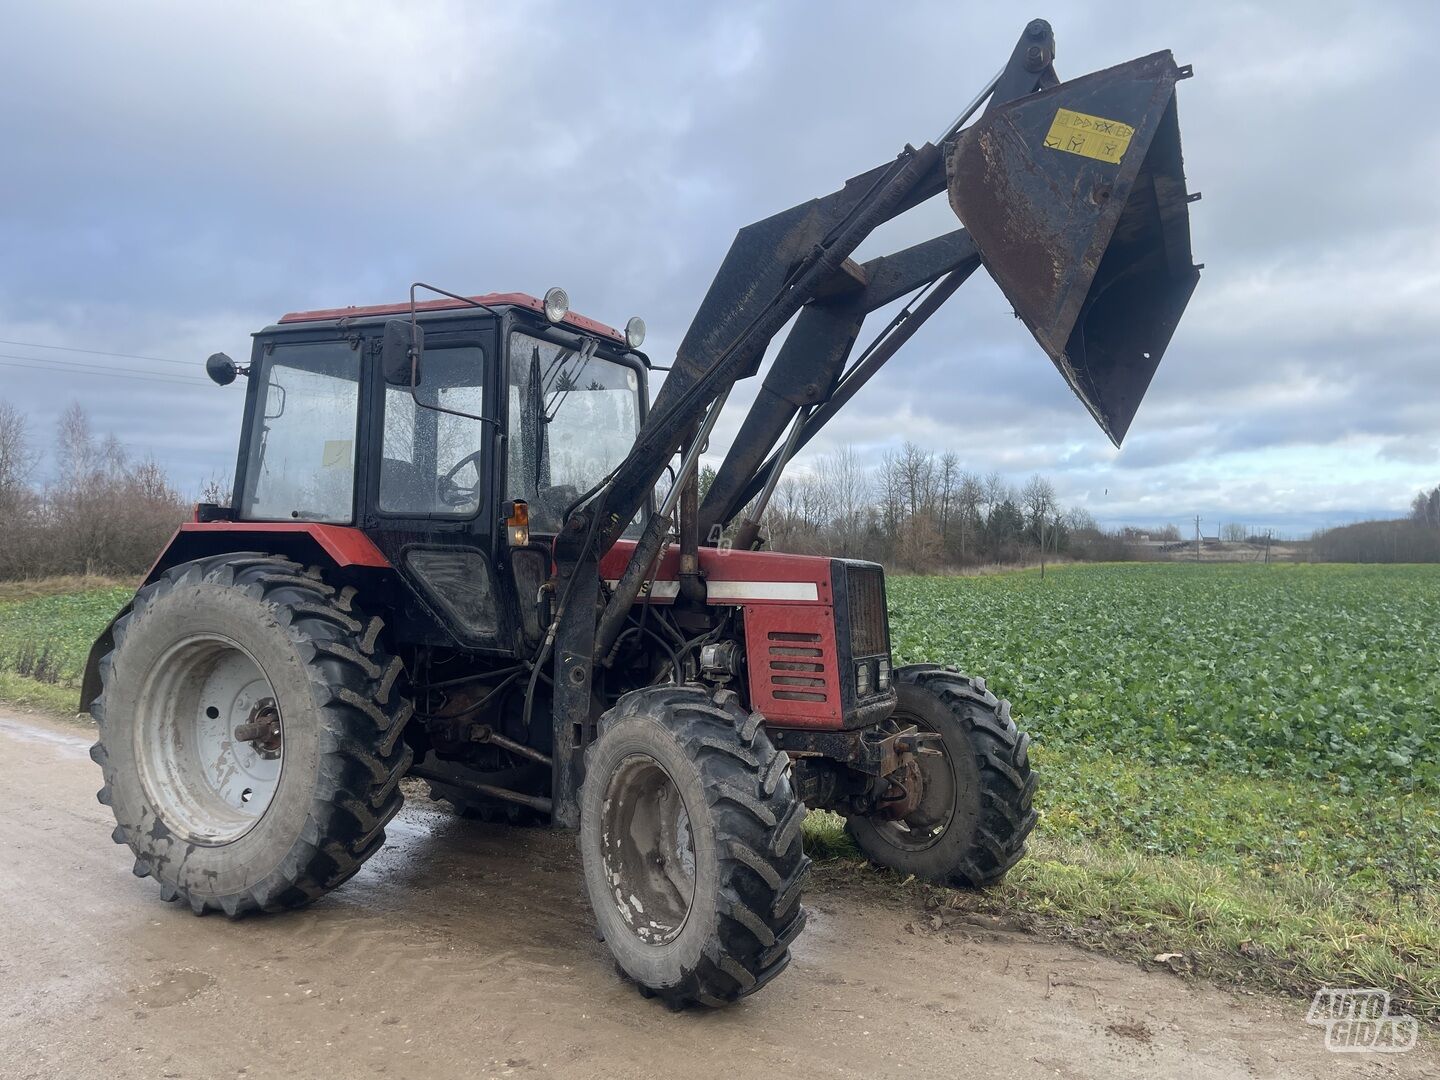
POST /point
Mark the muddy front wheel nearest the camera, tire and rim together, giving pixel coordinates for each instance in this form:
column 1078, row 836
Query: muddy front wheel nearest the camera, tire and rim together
column 690, row 836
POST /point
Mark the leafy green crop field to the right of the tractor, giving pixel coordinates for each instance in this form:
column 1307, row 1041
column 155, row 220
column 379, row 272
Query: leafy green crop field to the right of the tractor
column 1317, row 680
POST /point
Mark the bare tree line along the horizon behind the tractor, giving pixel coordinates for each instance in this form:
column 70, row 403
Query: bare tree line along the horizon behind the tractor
column 106, row 512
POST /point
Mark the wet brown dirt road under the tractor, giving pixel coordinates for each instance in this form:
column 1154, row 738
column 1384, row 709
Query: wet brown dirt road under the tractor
column 466, row 951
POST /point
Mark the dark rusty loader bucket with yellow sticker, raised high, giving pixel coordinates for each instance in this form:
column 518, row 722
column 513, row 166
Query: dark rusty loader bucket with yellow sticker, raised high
column 1076, row 201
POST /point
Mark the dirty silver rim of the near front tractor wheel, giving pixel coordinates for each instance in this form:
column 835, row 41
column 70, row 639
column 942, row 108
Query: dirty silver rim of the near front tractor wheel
column 649, row 850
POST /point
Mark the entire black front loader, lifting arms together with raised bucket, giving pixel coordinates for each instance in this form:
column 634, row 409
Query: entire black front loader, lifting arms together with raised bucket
column 1074, row 198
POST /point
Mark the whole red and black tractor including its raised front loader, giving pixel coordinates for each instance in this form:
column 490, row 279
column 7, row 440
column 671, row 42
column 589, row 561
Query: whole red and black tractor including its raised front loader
column 446, row 558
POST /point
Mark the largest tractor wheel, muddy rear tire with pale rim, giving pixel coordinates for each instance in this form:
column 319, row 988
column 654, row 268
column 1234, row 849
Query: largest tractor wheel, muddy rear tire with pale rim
column 204, row 650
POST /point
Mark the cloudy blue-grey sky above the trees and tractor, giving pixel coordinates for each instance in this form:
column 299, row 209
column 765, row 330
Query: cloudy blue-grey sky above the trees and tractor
column 178, row 175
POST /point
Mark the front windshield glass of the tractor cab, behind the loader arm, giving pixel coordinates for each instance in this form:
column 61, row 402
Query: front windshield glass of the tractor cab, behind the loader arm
column 572, row 420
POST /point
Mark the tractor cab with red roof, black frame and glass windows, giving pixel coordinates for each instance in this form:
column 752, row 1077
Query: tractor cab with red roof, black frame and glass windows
column 509, row 401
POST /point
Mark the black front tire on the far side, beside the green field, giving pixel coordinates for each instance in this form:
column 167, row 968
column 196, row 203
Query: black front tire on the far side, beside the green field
column 977, row 810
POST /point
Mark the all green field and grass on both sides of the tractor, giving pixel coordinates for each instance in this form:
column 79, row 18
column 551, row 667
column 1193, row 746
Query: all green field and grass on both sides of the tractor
column 1239, row 764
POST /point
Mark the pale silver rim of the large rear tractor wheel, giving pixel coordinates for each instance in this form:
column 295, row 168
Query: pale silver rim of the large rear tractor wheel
column 210, row 741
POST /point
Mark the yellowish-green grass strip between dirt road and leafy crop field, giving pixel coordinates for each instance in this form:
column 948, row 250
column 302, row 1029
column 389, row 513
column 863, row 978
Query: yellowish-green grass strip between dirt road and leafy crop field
column 1288, row 919
